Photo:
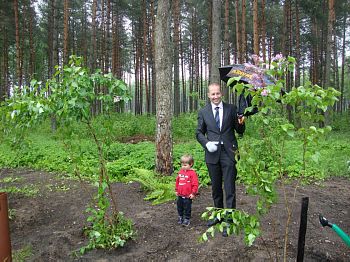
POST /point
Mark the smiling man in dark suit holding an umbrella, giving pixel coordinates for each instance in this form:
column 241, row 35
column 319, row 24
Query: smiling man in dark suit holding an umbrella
column 217, row 124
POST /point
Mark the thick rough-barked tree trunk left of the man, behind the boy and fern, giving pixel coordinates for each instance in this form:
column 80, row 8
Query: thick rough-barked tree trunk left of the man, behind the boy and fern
column 164, row 141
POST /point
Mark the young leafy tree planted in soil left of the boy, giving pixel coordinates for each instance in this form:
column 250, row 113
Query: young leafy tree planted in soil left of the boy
column 72, row 95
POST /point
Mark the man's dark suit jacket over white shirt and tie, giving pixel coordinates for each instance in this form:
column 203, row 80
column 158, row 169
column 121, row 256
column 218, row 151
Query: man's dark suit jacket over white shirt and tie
column 208, row 131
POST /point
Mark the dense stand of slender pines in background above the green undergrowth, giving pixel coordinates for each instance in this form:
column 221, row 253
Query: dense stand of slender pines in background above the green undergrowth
column 118, row 37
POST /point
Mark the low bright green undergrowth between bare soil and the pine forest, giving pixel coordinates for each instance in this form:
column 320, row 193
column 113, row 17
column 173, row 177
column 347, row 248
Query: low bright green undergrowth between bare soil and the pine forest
column 44, row 150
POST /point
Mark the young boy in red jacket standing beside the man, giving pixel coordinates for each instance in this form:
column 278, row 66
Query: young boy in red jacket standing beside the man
column 186, row 189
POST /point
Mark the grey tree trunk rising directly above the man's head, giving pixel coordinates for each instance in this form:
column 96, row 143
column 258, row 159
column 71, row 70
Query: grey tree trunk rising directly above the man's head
column 215, row 43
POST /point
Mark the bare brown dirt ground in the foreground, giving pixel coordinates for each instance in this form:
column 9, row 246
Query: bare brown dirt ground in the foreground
column 51, row 223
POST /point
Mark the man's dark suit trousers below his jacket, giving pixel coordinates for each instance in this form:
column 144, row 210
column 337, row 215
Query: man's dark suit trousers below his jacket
column 223, row 172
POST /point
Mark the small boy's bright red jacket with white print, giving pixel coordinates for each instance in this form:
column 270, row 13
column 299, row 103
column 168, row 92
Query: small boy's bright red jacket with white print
column 186, row 183
